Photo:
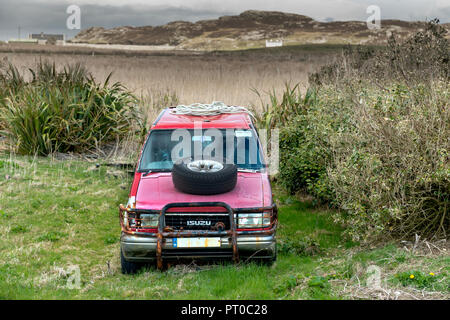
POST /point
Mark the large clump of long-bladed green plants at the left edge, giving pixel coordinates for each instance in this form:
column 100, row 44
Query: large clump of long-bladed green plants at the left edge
column 63, row 111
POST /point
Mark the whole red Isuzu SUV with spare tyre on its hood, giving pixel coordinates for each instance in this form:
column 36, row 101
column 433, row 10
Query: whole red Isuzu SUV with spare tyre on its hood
column 201, row 191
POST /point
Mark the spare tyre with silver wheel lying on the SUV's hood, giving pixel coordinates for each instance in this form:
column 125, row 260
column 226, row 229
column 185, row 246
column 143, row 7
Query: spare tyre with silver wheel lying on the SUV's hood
column 204, row 177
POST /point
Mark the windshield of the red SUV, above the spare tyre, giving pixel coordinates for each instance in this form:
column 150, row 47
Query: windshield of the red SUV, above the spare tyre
column 238, row 146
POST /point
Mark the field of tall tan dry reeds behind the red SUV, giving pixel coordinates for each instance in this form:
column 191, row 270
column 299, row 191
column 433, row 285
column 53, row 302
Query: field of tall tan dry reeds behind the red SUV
column 196, row 77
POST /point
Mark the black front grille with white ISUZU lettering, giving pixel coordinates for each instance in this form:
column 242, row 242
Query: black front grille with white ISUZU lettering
column 198, row 221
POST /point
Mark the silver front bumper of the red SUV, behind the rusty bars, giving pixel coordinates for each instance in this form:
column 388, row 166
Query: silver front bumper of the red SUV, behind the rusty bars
column 143, row 249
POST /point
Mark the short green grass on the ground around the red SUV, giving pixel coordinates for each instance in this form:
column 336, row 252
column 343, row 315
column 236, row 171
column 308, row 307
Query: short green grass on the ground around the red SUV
column 57, row 216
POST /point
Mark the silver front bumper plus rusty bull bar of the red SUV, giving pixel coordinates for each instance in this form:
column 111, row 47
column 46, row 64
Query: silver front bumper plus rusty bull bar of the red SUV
column 234, row 243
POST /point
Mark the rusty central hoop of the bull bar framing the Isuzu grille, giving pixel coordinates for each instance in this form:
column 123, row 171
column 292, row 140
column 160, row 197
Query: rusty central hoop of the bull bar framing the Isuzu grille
column 162, row 234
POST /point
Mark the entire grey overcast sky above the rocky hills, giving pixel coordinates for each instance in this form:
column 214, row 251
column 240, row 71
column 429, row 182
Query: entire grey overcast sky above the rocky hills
column 34, row 16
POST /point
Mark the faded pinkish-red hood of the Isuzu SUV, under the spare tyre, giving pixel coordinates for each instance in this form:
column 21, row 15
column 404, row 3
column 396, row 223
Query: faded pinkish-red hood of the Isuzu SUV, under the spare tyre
column 156, row 190
